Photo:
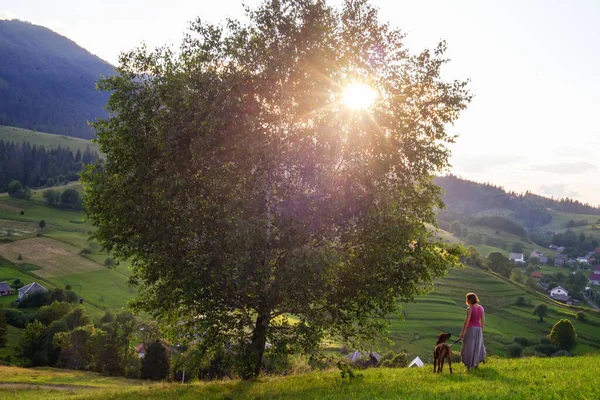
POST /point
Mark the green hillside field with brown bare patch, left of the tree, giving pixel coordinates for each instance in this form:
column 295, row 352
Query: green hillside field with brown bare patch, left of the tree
column 53, row 258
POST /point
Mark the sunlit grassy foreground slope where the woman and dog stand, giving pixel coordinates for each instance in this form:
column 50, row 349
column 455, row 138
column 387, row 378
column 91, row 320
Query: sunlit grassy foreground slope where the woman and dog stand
column 526, row 378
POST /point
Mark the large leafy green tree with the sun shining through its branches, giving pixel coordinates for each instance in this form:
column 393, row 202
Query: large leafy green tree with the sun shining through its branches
column 245, row 186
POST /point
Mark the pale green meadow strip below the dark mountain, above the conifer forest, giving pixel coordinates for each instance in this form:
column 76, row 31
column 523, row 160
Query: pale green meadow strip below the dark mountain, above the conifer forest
column 48, row 140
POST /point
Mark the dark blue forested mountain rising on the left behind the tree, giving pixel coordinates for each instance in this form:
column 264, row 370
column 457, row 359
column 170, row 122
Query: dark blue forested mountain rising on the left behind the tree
column 47, row 82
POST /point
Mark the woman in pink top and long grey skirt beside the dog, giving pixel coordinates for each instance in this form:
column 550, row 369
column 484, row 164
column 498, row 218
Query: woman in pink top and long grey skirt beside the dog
column 473, row 350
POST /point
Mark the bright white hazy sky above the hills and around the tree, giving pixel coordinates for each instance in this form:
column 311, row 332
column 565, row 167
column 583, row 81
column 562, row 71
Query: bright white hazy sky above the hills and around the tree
column 534, row 68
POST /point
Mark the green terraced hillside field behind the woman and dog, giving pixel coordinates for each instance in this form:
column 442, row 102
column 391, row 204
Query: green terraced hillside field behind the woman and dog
column 444, row 311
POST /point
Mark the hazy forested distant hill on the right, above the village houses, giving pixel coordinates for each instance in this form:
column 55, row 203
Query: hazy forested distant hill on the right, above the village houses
column 467, row 198
